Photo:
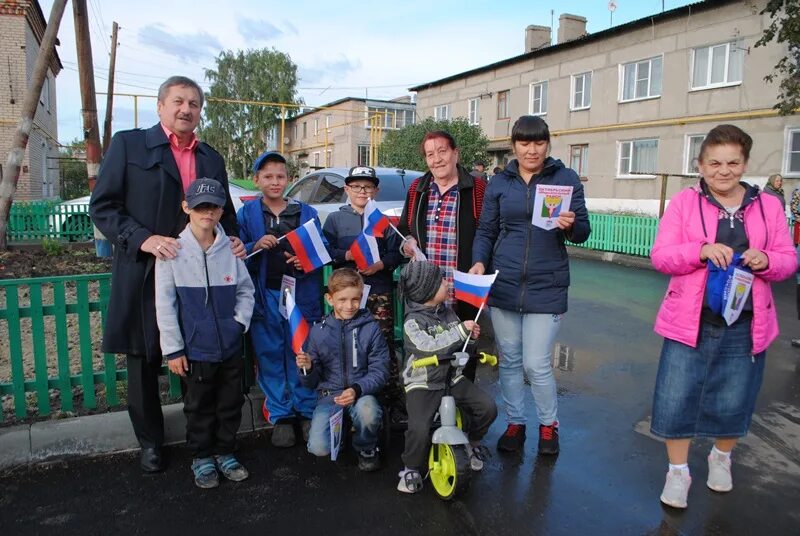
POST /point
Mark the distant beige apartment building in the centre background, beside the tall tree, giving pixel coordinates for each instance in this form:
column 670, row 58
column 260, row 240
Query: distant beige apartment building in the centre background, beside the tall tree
column 345, row 132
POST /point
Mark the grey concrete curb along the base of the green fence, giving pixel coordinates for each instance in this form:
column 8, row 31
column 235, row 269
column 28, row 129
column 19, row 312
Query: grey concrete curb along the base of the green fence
column 104, row 433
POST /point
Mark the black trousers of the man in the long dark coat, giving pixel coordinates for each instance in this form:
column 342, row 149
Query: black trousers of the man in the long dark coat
column 144, row 403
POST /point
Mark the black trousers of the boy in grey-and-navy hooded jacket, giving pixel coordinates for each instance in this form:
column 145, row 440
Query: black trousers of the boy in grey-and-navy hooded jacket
column 212, row 403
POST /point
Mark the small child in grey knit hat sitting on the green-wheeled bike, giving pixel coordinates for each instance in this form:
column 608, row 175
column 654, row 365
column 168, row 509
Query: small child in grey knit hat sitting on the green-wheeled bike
column 433, row 328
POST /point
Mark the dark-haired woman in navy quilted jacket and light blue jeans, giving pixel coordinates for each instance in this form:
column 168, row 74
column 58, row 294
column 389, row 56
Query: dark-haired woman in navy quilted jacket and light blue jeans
column 530, row 292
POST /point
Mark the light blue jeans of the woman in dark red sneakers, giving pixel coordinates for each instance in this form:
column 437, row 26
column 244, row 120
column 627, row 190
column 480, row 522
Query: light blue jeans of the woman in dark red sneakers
column 526, row 341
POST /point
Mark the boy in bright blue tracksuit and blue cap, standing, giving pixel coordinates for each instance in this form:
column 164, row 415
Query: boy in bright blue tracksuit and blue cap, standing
column 261, row 222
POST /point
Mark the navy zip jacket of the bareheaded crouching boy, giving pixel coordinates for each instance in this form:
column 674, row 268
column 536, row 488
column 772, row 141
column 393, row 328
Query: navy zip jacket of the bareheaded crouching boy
column 349, row 353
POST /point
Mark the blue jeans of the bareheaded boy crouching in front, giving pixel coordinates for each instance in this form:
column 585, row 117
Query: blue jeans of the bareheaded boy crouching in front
column 365, row 414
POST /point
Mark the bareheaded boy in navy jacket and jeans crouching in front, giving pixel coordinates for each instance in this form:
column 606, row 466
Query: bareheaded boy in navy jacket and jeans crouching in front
column 347, row 362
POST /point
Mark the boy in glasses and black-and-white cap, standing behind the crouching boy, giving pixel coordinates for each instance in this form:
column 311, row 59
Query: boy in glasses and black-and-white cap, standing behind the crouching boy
column 341, row 229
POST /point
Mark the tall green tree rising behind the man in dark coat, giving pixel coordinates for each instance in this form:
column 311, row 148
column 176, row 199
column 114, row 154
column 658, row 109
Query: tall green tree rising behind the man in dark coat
column 239, row 131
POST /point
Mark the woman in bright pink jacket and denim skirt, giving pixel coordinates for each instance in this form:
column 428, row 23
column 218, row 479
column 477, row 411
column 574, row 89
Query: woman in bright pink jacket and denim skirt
column 710, row 372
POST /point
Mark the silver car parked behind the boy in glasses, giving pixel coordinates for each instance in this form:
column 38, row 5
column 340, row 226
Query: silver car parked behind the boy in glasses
column 324, row 190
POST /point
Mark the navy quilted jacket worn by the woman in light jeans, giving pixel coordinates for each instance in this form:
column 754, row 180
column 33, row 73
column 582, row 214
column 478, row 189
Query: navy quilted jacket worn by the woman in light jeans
column 533, row 263
